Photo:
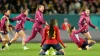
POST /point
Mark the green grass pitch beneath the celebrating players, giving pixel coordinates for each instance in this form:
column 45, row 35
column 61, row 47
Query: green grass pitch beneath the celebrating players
column 71, row 50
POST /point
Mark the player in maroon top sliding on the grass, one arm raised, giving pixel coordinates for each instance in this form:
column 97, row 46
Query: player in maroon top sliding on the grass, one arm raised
column 79, row 41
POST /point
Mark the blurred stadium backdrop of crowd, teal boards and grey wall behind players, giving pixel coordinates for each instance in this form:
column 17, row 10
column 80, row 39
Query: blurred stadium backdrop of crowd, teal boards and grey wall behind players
column 57, row 9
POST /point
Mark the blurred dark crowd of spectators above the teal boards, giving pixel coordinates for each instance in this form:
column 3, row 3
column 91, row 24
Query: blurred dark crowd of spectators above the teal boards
column 51, row 6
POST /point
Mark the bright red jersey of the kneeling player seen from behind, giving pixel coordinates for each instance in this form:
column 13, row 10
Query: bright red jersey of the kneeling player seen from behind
column 55, row 40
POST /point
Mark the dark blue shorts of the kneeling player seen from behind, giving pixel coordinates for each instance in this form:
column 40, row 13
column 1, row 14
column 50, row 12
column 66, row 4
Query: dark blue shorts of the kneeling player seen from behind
column 54, row 46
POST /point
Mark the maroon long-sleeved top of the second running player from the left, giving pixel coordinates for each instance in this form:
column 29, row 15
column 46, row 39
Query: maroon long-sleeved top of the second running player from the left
column 21, row 19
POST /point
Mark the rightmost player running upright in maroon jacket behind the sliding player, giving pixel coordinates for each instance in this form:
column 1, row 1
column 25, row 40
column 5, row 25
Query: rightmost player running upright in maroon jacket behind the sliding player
column 85, row 18
